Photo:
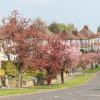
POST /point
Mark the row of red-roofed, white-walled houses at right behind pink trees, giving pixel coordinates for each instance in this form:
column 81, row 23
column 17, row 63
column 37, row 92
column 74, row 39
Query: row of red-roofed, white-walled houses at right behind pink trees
column 85, row 39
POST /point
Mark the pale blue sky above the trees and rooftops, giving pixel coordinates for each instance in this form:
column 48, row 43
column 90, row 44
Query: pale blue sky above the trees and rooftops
column 78, row 12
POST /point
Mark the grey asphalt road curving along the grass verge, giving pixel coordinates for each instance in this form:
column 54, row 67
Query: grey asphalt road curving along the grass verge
column 89, row 91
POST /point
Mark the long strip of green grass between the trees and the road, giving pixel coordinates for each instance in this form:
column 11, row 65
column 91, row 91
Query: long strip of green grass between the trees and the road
column 75, row 81
